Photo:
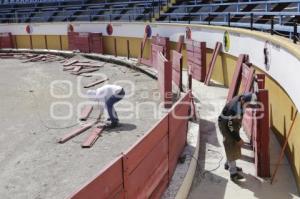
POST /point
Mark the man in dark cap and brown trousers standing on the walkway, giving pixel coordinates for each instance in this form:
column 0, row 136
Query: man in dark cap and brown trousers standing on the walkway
column 230, row 122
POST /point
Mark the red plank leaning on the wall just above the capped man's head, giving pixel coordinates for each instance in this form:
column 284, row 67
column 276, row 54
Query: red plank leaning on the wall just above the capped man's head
column 235, row 83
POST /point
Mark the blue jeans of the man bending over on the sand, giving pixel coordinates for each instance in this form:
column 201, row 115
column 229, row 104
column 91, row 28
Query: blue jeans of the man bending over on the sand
column 110, row 106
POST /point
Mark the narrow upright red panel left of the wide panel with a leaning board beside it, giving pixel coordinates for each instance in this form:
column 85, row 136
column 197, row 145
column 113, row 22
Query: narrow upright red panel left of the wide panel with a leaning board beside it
column 177, row 69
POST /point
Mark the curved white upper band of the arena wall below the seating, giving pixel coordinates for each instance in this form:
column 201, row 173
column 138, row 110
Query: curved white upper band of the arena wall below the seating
column 284, row 67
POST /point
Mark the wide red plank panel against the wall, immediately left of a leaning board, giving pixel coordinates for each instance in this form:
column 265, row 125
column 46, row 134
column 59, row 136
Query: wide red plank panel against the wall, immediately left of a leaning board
column 196, row 57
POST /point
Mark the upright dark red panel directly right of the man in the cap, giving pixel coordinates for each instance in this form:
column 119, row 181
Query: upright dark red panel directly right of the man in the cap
column 262, row 135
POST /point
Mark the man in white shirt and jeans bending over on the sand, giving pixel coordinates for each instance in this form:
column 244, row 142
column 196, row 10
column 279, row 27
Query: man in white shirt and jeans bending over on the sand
column 108, row 95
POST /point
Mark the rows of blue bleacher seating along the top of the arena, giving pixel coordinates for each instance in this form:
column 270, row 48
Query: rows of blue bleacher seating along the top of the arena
column 281, row 15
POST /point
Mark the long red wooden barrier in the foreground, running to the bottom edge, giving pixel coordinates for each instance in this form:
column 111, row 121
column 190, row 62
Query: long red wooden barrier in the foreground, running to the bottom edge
column 145, row 170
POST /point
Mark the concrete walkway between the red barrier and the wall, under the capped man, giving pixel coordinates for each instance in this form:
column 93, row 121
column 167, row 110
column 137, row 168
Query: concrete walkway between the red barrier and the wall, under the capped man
column 211, row 180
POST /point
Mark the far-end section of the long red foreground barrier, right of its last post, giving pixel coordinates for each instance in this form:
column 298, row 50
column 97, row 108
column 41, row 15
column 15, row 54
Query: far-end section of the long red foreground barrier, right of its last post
column 178, row 126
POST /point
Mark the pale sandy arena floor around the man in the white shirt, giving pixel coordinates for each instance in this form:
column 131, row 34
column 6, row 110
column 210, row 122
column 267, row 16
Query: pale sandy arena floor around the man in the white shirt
column 32, row 164
